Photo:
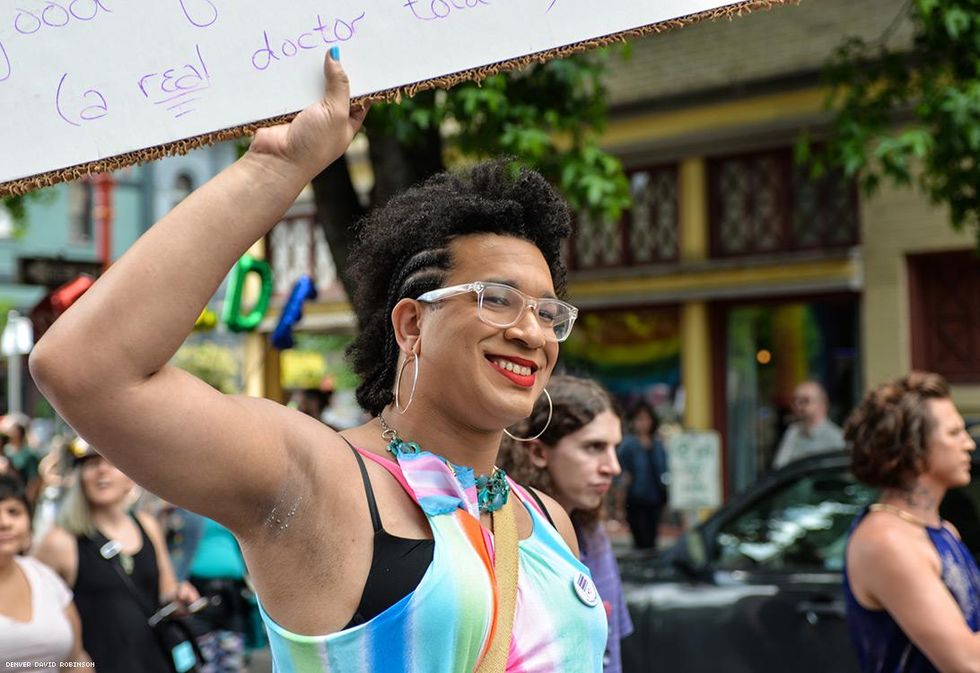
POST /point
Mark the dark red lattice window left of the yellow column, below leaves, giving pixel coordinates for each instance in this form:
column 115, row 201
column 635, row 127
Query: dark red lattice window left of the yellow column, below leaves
column 646, row 234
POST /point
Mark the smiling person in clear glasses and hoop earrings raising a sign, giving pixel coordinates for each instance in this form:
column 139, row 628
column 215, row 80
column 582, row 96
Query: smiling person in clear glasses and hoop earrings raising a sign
column 400, row 554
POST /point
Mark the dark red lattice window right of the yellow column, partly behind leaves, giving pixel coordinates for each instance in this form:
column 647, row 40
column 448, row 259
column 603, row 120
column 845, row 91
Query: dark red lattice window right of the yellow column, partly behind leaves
column 764, row 203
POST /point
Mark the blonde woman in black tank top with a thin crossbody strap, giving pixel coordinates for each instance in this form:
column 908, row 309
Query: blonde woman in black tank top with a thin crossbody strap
column 97, row 543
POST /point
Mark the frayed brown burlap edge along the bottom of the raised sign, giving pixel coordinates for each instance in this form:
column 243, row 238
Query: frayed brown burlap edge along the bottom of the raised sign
column 31, row 183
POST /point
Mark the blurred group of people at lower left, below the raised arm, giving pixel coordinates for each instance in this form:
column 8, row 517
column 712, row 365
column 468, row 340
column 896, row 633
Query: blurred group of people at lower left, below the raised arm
column 89, row 559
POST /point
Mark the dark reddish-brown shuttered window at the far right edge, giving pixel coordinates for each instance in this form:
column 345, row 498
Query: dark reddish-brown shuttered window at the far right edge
column 944, row 294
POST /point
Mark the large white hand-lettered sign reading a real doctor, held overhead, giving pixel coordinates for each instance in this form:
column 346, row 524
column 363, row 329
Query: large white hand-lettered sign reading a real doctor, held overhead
column 91, row 85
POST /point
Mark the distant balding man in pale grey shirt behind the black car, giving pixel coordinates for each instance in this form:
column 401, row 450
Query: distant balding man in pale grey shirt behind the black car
column 811, row 432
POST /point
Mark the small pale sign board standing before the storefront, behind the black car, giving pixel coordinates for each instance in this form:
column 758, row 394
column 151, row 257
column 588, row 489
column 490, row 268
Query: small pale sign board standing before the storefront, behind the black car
column 694, row 460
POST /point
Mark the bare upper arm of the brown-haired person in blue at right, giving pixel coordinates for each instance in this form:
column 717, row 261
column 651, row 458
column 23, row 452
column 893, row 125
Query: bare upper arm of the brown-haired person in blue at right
column 906, row 582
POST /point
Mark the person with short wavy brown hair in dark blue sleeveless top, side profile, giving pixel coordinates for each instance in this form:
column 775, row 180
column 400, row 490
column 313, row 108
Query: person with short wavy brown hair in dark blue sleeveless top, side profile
column 912, row 588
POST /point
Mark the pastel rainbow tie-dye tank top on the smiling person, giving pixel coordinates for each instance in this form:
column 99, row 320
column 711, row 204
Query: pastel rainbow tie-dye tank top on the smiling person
column 447, row 623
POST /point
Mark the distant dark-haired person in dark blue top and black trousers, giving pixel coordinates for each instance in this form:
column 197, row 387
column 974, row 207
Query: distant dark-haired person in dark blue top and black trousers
column 642, row 491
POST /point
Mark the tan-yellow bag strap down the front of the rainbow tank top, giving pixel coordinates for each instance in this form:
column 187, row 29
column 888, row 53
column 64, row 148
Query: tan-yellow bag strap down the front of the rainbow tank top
column 505, row 568
